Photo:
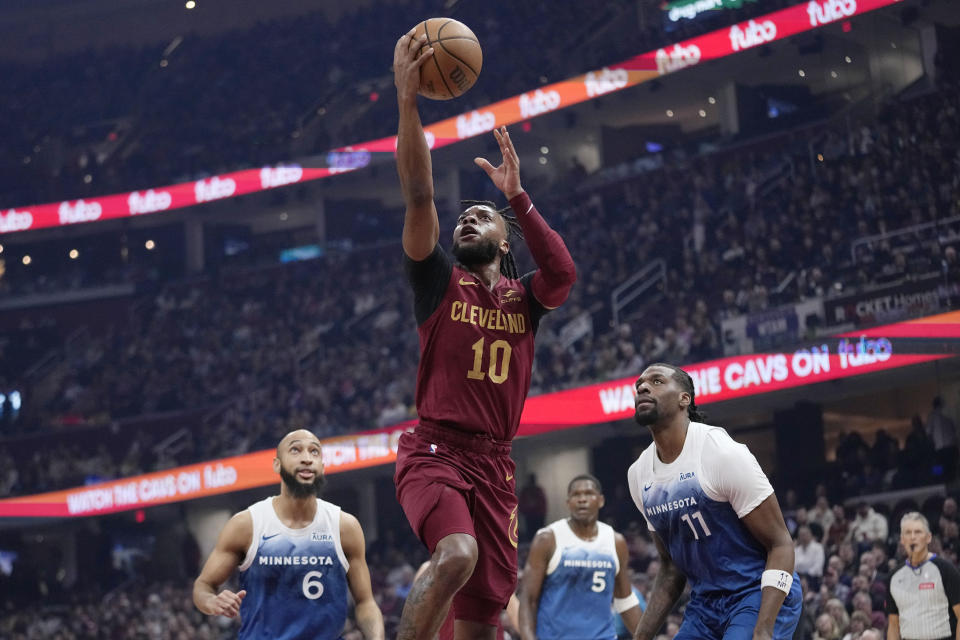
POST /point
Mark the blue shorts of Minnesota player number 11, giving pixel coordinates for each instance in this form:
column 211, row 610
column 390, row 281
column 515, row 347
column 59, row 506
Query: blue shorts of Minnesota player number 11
column 734, row 616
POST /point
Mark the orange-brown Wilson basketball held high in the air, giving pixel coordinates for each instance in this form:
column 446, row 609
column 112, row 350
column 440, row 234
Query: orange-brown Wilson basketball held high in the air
column 457, row 58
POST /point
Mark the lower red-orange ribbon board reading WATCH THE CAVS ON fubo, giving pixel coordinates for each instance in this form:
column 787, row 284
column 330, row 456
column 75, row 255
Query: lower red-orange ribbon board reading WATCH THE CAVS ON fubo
column 832, row 358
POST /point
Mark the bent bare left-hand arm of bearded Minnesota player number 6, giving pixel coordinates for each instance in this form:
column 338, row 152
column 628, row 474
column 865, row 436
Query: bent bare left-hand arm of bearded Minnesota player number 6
column 231, row 548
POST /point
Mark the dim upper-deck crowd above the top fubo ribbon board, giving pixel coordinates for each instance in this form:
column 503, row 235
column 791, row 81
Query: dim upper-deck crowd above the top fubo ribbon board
column 253, row 92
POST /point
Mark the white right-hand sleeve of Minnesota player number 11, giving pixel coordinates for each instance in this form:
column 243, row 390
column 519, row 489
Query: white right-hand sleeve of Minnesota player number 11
column 732, row 474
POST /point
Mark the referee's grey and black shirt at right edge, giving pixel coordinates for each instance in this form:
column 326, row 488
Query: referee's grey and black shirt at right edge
column 923, row 597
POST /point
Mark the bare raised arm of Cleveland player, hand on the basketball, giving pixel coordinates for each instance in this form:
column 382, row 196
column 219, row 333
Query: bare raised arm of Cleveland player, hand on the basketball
column 421, row 229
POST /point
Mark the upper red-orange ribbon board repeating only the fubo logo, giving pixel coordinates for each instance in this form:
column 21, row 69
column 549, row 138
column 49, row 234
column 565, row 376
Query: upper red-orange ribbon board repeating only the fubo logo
column 645, row 67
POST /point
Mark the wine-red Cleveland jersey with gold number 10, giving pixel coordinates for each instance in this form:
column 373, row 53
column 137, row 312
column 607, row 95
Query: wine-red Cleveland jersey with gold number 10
column 476, row 347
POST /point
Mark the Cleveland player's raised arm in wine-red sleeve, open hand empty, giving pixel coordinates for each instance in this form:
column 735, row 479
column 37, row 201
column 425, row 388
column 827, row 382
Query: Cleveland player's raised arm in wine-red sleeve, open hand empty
column 556, row 274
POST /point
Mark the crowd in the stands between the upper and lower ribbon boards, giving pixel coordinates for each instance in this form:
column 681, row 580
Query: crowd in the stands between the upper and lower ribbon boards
column 320, row 343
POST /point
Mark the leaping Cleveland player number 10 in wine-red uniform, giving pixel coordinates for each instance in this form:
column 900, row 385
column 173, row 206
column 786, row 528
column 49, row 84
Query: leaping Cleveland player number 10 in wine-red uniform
column 476, row 320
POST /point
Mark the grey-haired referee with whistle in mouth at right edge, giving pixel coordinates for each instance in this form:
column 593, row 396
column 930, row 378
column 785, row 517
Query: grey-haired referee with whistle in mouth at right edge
column 924, row 594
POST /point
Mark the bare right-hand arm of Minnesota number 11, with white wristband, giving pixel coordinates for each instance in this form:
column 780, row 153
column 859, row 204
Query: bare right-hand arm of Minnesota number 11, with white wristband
column 766, row 524
